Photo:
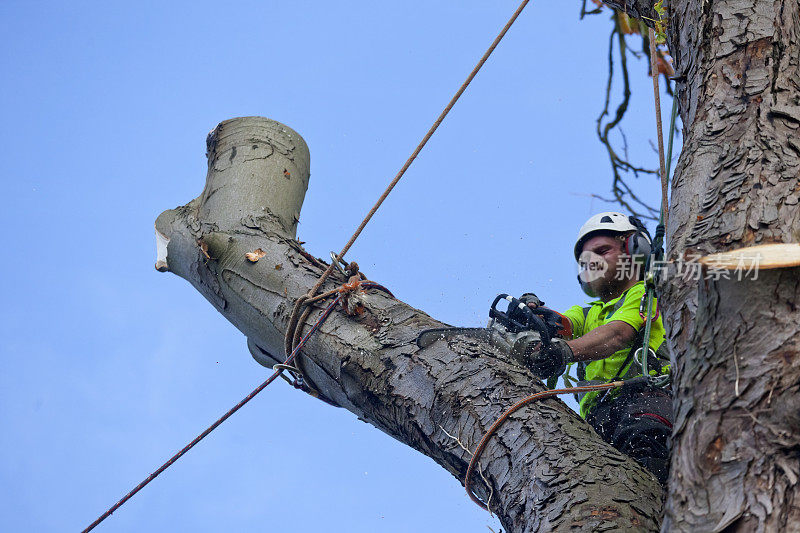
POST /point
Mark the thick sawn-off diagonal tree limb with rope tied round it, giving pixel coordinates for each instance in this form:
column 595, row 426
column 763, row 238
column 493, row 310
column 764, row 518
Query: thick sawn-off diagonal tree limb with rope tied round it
column 546, row 469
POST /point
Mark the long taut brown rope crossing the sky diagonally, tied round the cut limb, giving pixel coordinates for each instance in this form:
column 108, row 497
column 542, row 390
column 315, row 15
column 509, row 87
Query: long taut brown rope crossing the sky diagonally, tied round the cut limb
column 292, row 336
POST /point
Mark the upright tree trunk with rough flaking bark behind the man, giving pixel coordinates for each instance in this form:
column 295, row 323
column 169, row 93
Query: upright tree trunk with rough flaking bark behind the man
column 736, row 454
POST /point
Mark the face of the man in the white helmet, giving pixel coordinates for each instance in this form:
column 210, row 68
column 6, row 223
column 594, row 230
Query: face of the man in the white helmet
column 600, row 262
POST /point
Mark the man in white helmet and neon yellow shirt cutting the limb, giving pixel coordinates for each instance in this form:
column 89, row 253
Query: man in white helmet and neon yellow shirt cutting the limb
column 604, row 338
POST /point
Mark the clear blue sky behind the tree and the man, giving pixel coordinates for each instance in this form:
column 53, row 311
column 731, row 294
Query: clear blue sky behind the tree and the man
column 109, row 367
